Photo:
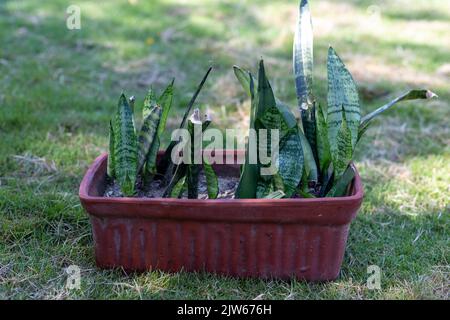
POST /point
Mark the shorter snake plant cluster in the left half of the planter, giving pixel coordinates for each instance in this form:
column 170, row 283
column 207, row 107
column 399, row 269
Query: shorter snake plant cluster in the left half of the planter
column 132, row 159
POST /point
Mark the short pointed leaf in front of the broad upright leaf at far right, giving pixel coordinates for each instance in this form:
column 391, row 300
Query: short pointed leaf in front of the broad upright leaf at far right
column 344, row 152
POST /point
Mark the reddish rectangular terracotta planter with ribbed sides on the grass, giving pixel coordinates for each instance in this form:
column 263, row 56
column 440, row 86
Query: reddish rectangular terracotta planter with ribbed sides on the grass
column 301, row 238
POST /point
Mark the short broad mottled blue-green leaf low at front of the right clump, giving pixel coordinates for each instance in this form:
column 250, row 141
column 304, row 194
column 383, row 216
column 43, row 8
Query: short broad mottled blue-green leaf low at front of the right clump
column 291, row 163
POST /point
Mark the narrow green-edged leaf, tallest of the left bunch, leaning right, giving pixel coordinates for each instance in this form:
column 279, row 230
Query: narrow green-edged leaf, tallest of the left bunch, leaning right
column 165, row 102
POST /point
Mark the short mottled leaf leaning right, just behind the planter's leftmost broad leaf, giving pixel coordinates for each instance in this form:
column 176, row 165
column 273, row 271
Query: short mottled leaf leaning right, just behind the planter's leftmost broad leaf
column 147, row 135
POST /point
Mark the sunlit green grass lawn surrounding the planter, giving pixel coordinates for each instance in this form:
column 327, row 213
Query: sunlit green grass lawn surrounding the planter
column 58, row 89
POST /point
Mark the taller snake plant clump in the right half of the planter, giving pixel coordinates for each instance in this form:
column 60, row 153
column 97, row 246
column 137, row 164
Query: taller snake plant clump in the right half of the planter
column 315, row 152
